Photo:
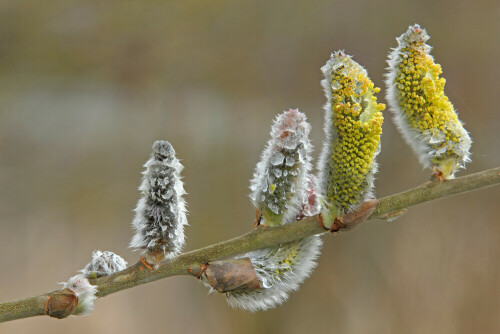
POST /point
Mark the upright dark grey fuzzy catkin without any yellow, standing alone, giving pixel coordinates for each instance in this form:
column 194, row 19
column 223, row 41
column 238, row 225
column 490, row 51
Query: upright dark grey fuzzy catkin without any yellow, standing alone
column 161, row 211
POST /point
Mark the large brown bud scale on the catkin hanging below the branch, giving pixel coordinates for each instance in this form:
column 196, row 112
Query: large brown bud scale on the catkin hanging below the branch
column 232, row 275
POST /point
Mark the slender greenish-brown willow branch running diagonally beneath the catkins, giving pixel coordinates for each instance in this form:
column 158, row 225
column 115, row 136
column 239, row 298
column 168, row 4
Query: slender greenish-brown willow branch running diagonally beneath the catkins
column 191, row 263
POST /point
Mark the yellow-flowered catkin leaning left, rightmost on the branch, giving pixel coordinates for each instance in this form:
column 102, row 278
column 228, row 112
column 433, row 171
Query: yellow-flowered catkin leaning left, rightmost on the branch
column 422, row 112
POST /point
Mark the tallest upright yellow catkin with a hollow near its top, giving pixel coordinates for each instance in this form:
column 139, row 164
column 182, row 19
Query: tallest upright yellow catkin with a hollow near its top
column 353, row 126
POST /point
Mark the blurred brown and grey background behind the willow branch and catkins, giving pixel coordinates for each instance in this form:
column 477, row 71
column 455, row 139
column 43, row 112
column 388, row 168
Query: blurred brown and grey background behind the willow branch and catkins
column 87, row 86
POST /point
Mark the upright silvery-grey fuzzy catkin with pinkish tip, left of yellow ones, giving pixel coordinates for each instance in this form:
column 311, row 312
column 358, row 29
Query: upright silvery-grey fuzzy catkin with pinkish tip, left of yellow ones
column 279, row 182
